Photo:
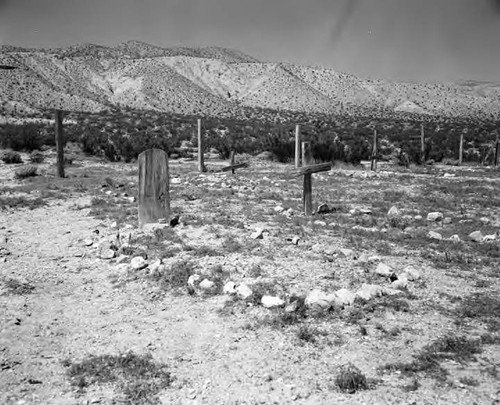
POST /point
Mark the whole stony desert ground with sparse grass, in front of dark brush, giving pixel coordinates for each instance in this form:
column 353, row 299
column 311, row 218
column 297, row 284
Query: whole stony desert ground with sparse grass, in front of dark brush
column 388, row 295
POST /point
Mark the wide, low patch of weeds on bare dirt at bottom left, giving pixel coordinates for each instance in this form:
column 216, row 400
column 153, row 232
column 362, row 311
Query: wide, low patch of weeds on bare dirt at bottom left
column 138, row 378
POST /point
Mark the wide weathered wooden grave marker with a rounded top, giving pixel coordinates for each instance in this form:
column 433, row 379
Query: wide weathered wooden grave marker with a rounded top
column 154, row 197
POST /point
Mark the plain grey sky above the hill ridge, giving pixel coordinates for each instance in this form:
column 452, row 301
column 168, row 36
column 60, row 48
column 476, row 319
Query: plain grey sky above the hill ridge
column 416, row 40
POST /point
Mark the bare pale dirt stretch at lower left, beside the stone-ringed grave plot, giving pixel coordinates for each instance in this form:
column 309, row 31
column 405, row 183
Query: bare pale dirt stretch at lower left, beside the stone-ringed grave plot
column 75, row 312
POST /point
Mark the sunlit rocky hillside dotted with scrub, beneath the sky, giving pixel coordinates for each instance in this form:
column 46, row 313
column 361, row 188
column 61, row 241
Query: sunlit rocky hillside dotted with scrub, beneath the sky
column 216, row 82
